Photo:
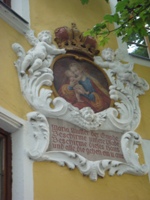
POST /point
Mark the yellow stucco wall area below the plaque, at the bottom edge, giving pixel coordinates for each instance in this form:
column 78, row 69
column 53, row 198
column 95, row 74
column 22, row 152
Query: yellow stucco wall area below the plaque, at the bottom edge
column 61, row 183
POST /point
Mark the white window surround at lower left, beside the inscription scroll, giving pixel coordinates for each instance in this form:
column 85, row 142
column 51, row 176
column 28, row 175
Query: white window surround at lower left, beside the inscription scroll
column 22, row 166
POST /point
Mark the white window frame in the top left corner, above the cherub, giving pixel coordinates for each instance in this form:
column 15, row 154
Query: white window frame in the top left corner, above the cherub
column 18, row 16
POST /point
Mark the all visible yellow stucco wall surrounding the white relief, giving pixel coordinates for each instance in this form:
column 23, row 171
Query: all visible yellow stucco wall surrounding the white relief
column 50, row 180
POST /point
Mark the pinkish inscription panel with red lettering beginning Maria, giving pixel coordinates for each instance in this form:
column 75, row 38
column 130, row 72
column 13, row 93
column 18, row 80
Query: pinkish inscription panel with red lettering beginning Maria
column 93, row 145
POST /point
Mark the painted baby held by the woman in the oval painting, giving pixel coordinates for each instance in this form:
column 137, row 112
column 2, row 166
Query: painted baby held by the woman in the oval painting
column 78, row 88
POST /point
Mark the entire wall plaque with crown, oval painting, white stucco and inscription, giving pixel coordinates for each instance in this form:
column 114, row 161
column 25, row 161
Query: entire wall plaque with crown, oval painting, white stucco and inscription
column 86, row 104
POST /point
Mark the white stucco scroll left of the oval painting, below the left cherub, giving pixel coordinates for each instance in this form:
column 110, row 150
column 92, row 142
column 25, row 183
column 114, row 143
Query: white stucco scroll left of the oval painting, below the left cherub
column 31, row 84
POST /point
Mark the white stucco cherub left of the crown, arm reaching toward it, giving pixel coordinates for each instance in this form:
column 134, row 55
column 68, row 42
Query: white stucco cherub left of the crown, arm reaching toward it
column 42, row 51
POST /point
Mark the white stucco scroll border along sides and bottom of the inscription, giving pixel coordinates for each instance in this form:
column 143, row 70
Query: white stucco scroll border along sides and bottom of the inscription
column 38, row 135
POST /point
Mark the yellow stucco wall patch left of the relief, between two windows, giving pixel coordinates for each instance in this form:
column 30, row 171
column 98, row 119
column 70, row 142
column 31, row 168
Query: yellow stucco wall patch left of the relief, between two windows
column 10, row 96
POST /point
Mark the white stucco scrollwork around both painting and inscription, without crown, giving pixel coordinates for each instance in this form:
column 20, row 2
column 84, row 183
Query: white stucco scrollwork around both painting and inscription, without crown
column 124, row 117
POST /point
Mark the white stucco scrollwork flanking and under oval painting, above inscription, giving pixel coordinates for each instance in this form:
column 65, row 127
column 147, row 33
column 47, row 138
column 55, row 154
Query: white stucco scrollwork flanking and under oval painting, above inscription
column 125, row 89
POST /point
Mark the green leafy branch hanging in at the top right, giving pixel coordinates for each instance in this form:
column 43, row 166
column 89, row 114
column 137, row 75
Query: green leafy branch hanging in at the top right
column 131, row 17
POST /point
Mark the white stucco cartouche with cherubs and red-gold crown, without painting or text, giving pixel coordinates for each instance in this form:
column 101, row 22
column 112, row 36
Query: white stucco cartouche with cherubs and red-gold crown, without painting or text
column 35, row 71
